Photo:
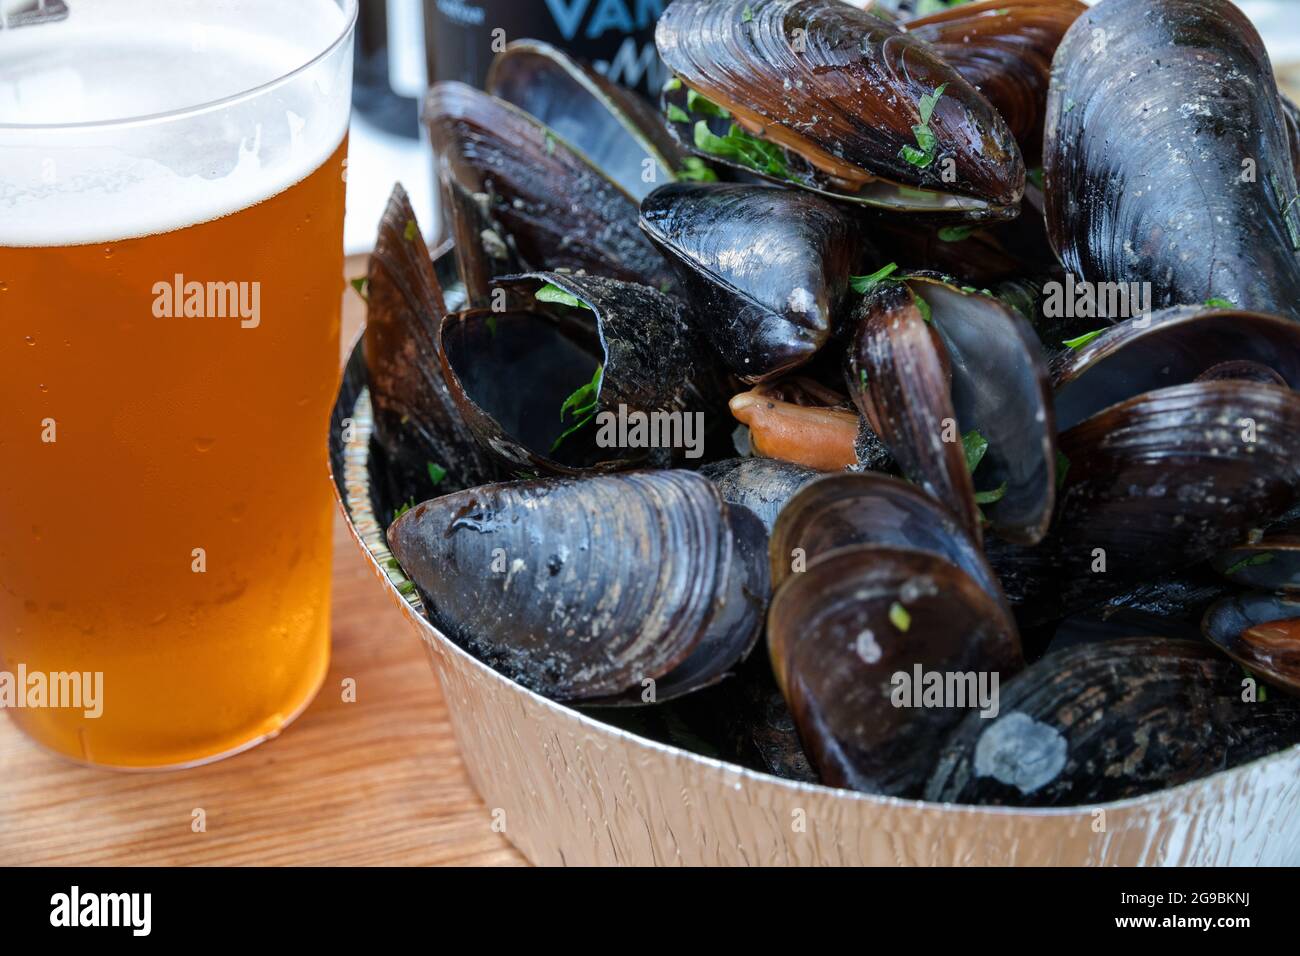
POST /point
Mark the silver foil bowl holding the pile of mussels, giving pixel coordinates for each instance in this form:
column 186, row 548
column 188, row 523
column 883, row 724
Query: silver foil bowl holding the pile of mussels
column 570, row 790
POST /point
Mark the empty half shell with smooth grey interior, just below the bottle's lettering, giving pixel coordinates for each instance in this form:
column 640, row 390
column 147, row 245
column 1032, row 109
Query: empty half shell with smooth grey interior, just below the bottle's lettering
column 614, row 128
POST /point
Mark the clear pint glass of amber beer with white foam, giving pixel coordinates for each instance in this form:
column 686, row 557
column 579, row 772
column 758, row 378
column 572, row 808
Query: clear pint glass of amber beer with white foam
column 172, row 180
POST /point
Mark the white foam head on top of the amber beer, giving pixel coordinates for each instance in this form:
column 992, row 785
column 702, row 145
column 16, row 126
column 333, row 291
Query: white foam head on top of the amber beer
column 118, row 59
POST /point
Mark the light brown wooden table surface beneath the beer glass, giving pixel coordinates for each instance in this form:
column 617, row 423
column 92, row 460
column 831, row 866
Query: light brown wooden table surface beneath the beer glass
column 374, row 782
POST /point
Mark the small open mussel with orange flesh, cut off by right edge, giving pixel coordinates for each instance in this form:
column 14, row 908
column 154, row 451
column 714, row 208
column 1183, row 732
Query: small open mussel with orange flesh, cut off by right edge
column 1262, row 633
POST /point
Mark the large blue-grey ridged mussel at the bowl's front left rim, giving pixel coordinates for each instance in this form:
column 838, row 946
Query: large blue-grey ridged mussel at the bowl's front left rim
column 614, row 589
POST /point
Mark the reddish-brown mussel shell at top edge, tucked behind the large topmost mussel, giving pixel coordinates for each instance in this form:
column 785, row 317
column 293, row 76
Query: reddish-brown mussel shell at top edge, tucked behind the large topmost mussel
column 1004, row 49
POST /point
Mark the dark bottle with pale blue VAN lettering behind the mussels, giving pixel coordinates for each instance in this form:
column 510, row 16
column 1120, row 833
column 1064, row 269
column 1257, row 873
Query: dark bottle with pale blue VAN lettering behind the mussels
column 617, row 37
